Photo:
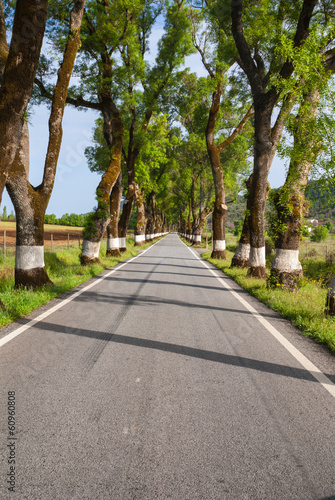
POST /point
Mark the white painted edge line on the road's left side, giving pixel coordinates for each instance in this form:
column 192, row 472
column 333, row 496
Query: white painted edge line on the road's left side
column 64, row 302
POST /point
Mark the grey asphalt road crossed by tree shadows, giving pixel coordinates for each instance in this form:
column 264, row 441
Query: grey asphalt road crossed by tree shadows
column 158, row 382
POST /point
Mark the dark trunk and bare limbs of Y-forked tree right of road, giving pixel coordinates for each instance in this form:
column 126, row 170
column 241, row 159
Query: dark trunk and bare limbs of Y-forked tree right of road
column 264, row 101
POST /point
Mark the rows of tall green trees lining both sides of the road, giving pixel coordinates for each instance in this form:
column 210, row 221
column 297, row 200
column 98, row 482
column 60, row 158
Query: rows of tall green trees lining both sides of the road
column 179, row 146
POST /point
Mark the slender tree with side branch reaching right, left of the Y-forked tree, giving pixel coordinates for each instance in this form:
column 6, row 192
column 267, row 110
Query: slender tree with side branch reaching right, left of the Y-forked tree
column 217, row 70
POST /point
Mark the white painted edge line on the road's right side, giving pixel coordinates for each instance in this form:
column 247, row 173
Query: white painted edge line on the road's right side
column 301, row 358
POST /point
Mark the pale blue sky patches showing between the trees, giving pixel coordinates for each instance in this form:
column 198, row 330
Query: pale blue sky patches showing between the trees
column 74, row 190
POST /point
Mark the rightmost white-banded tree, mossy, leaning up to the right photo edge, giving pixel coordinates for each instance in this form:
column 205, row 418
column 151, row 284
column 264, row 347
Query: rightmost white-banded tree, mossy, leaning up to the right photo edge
column 289, row 202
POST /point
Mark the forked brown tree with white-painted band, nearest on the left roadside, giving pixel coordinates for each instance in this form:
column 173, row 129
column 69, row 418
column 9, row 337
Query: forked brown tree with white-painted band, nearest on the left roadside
column 30, row 203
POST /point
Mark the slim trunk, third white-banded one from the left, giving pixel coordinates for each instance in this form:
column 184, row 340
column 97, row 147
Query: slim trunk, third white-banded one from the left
column 113, row 245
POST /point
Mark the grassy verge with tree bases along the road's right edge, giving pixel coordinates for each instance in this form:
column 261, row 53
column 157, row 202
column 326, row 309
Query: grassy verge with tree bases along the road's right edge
column 304, row 307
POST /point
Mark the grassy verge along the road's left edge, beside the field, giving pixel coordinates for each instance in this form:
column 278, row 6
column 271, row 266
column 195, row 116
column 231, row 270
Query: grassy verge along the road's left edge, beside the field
column 64, row 270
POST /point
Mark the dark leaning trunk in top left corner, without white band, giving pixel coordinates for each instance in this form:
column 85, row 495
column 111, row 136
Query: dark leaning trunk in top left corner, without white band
column 18, row 77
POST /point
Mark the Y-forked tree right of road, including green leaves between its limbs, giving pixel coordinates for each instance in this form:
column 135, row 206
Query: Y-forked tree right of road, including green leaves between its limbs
column 260, row 60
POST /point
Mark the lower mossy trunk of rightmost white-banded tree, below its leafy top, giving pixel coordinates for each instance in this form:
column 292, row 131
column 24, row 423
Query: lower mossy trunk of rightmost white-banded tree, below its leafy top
column 290, row 203
